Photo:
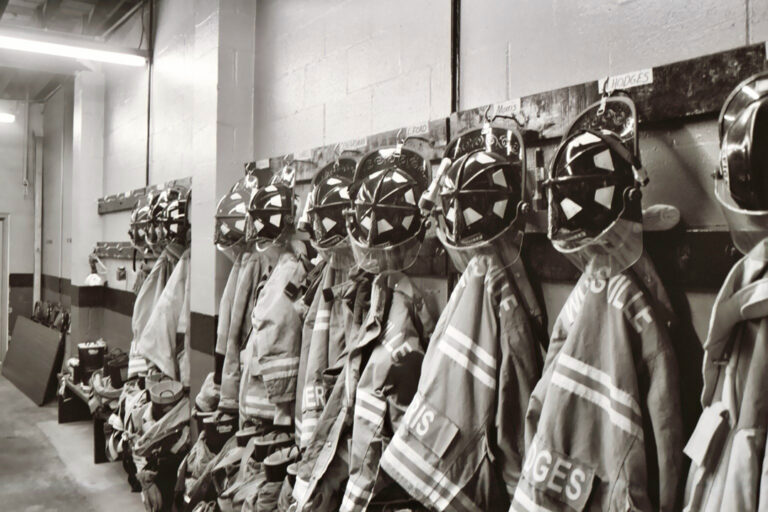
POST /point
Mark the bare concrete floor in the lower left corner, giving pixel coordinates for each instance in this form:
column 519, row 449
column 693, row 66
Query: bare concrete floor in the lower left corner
column 46, row 467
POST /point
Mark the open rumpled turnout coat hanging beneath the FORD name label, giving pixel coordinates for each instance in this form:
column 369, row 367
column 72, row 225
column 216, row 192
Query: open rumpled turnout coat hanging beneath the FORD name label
column 374, row 387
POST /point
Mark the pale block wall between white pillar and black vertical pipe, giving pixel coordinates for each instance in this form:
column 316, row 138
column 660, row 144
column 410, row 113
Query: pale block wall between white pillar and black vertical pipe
column 332, row 70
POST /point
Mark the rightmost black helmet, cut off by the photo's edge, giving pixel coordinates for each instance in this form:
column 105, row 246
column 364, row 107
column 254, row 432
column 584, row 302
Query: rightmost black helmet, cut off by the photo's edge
column 743, row 129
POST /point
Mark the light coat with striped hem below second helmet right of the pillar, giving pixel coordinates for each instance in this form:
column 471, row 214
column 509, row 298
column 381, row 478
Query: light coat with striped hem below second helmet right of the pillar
column 277, row 330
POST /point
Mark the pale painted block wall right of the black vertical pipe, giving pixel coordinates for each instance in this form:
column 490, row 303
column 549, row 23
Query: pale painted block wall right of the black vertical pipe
column 511, row 49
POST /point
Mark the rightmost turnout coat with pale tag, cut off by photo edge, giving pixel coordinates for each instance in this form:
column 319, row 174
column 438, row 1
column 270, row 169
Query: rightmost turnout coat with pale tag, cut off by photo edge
column 729, row 470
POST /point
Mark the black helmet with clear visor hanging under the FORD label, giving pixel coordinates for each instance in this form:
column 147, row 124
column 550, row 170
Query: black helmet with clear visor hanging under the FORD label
column 385, row 226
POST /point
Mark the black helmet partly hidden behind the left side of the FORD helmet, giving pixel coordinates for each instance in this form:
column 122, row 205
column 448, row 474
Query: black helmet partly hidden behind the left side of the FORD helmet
column 327, row 201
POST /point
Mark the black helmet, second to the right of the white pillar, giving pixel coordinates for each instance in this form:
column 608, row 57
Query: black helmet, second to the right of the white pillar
column 272, row 212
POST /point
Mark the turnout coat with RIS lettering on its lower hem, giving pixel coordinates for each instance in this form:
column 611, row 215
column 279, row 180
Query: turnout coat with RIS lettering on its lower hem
column 460, row 445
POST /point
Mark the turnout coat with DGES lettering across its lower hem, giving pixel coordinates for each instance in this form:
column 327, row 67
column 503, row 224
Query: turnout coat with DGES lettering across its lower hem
column 603, row 425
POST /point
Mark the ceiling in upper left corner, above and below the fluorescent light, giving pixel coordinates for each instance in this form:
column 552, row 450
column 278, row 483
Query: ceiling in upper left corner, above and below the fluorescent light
column 40, row 75
